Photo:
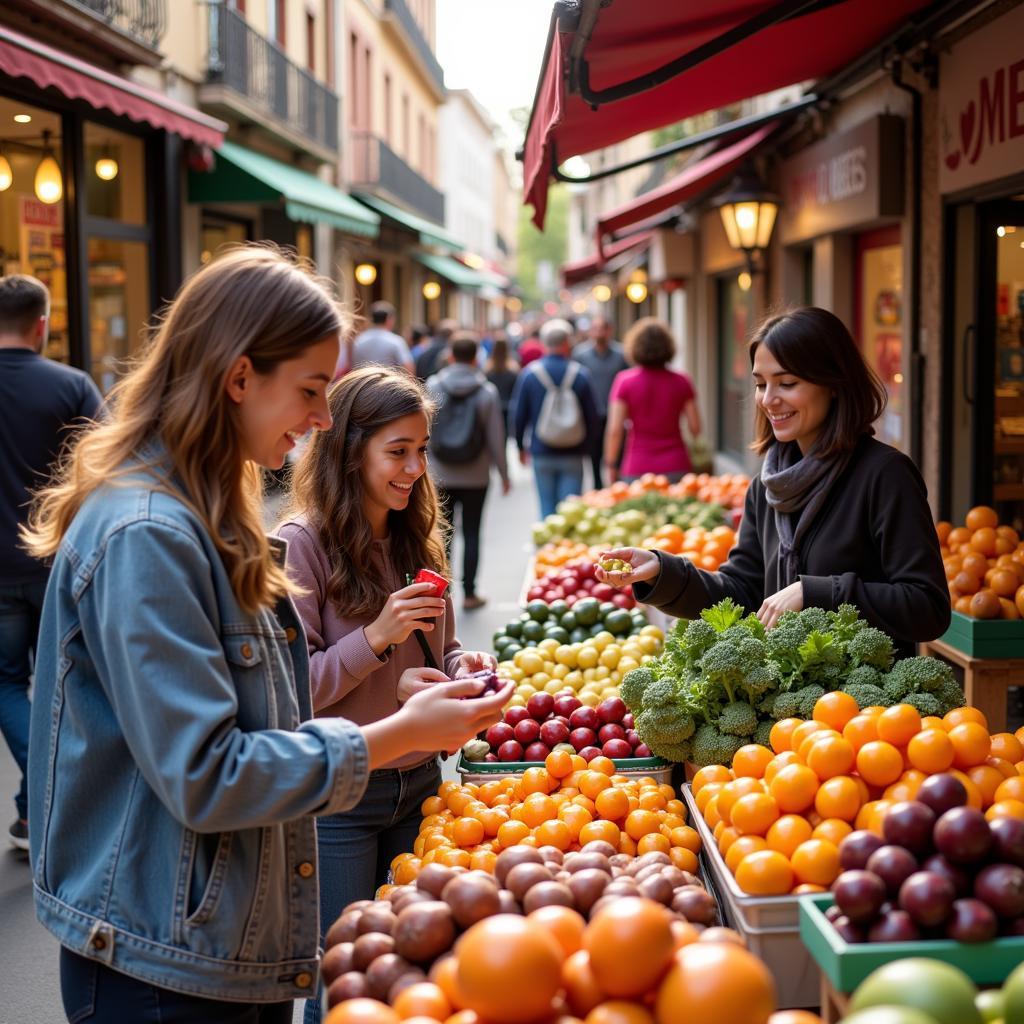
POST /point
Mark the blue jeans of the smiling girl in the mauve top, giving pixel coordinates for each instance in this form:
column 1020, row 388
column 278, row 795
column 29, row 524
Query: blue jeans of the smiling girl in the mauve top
column 357, row 848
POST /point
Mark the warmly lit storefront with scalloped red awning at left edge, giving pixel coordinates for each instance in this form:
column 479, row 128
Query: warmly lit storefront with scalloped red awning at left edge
column 91, row 197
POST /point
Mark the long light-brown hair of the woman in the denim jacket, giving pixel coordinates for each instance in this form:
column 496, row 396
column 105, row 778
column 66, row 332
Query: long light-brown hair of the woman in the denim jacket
column 254, row 301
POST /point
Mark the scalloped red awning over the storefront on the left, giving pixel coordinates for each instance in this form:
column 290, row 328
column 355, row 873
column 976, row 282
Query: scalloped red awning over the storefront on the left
column 25, row 58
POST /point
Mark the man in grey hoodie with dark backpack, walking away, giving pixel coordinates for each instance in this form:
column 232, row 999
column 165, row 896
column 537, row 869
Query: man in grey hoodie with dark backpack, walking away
column 467, row 438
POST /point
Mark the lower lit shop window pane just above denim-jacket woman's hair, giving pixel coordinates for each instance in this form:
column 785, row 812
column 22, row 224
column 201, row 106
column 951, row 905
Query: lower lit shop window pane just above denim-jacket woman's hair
column 119, row 305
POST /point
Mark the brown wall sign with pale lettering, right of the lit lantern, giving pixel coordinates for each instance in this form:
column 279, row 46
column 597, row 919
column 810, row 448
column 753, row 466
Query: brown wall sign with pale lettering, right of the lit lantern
column 844, row 182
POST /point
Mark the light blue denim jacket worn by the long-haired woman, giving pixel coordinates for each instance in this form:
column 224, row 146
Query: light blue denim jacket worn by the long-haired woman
column 175, row 762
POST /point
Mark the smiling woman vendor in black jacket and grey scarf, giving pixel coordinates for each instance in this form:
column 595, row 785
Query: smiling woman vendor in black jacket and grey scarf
column 835, row 517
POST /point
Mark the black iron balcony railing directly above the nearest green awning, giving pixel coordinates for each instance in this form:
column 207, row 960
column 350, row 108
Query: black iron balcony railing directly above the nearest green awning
column 258, row 69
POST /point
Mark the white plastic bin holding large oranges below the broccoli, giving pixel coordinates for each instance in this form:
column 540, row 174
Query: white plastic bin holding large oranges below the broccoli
column 770, row 925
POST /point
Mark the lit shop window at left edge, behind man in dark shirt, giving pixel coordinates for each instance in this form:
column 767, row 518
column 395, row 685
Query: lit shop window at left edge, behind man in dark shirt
column 32, row 232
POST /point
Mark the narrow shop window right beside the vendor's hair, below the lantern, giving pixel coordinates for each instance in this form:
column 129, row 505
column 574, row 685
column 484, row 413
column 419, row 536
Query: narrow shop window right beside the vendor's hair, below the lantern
column 736, row 389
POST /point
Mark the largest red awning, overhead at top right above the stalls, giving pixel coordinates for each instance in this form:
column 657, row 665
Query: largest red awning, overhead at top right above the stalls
column 631, row 38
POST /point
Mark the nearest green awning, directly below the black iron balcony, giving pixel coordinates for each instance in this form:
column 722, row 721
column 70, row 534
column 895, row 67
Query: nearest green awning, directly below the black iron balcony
column 245, row 177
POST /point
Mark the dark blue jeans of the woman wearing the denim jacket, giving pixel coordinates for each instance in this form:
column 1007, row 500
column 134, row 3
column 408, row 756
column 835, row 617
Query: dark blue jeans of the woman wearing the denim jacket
column 96, row 994
